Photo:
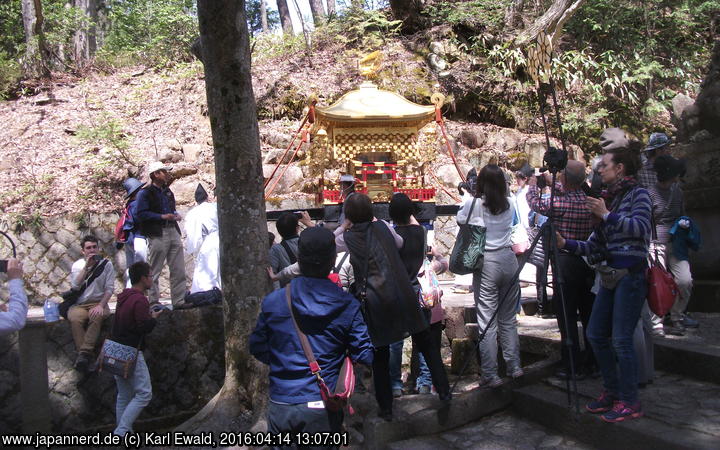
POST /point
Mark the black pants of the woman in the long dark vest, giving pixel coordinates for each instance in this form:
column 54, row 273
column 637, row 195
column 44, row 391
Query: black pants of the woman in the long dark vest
column 425, row 343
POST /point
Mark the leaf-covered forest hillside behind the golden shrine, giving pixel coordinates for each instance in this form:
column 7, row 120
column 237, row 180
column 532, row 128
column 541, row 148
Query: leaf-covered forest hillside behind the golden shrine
column 101, row 87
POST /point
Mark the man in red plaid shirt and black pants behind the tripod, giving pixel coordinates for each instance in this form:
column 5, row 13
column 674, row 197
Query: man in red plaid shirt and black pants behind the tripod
column 571, row 218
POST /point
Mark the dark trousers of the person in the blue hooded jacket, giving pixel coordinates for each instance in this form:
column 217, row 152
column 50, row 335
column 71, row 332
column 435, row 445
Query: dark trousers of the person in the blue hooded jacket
column 299, row 418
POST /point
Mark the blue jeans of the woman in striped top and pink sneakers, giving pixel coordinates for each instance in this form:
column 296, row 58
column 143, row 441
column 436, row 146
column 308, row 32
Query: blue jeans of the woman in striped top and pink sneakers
column 613, row 320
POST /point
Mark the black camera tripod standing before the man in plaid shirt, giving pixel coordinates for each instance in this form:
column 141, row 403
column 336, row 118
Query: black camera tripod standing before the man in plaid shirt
column 547, row 229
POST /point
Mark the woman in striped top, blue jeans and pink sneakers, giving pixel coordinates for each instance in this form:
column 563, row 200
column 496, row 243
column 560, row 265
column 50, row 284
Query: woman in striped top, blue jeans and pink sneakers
column 623, row 236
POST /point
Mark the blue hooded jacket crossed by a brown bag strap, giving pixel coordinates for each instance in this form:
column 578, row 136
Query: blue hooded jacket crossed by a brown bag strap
column 334, row 325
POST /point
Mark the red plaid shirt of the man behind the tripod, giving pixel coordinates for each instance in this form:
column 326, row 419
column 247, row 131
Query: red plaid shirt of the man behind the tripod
column 572, row 216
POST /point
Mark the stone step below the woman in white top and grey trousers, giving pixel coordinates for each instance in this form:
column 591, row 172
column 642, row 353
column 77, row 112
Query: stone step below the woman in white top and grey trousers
column 422, row 415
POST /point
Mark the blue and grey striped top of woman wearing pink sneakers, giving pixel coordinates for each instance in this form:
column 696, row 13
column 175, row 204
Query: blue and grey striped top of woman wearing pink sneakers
column 625, row 233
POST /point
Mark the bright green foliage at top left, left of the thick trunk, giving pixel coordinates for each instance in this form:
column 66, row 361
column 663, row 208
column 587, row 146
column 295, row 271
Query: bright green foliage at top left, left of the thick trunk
column 154, row 32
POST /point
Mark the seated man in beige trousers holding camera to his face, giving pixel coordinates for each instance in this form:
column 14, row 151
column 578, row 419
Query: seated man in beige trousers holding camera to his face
column 95, row 277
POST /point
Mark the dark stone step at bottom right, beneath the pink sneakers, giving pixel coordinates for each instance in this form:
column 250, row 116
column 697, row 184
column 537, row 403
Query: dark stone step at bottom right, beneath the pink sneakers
column 666, row 424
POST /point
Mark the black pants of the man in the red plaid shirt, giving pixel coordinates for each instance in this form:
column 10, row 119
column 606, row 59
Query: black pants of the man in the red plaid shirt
column 578, row 280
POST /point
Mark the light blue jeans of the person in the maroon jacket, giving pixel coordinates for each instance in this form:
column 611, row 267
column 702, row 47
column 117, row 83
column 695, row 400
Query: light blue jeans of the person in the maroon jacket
column 134, row 394
